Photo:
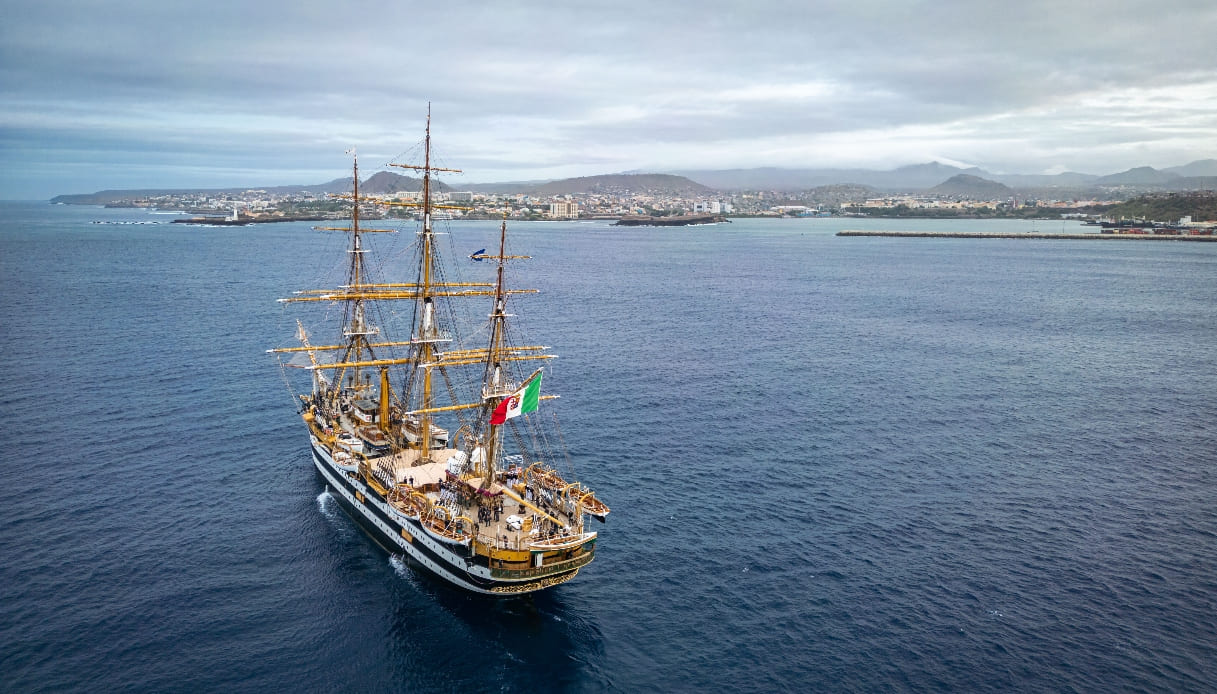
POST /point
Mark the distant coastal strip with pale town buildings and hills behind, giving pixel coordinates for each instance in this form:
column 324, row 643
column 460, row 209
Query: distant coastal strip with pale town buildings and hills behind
column 633, row 198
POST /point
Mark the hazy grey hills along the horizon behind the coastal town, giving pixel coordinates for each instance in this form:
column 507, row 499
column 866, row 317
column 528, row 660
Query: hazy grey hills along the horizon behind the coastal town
column 1196, row 176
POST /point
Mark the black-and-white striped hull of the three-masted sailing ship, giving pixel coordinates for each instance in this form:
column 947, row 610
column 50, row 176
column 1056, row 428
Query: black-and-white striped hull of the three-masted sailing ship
column 451, row 562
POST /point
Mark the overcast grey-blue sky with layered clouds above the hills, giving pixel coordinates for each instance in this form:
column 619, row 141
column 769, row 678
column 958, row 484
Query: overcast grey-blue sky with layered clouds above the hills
column 124, row 94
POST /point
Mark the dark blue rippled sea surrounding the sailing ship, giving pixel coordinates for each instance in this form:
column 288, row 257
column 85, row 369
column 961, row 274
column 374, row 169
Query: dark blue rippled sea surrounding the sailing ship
column 834, row 464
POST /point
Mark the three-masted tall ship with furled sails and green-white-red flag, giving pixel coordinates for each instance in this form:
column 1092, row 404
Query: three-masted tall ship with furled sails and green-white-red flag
column 439, row 445
